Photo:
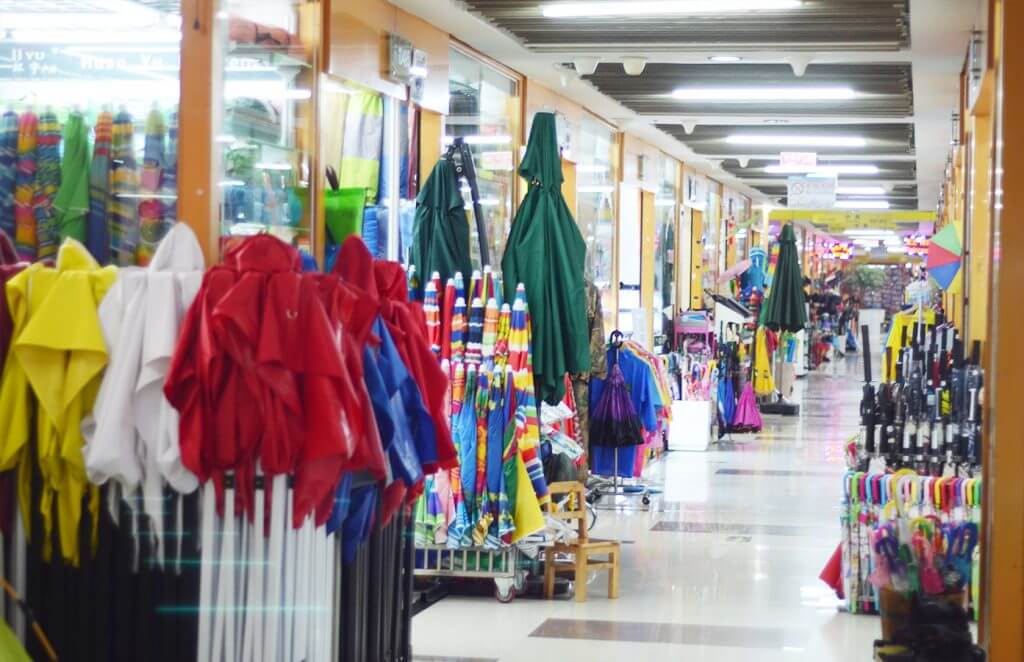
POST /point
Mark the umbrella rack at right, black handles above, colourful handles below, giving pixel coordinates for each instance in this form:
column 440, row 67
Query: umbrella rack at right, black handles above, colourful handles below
column 913, row 496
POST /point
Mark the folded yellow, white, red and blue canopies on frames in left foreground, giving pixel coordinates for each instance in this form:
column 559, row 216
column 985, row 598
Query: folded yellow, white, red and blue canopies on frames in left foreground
column 197, row 450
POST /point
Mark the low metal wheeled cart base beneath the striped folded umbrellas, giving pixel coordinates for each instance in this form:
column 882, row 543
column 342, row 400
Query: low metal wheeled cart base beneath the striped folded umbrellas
column 474, row 563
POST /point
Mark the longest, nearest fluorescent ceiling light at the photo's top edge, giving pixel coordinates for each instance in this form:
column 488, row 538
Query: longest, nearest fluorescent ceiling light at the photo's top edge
column 663, row 8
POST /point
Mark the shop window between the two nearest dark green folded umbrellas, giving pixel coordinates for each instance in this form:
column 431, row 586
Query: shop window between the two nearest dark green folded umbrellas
column 485, row 111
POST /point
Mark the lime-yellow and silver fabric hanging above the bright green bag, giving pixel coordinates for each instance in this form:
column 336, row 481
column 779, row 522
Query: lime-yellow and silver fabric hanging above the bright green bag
column 364, row 140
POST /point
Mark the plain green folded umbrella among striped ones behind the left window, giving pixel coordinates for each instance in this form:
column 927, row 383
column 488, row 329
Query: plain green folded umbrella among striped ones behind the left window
column 71, row 206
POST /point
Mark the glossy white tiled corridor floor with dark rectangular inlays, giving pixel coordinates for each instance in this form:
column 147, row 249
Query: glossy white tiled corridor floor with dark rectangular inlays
column 723, row 567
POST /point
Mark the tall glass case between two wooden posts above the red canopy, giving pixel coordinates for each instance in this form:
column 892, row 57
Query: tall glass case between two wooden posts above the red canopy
column 265, row 118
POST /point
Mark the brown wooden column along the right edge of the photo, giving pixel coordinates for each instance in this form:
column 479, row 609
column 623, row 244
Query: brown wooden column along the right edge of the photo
column 1003, row 616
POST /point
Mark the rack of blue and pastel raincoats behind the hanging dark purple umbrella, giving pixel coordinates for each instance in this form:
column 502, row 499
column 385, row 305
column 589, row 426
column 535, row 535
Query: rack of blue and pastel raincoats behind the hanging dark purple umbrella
column 647, row 379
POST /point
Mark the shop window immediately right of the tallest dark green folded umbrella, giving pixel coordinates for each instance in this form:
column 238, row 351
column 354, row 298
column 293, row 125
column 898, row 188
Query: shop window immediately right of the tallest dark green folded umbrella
column 596, row 209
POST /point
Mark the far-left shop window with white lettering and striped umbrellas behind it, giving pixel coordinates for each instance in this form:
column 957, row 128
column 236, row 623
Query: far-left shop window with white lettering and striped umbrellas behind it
column 90, row 99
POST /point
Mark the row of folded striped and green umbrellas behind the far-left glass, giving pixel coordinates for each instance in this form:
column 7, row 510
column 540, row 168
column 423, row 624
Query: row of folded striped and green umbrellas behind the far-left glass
column 118, row 206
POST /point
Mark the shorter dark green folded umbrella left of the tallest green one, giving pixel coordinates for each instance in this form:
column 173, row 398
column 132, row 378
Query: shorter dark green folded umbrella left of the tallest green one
column 441, row 234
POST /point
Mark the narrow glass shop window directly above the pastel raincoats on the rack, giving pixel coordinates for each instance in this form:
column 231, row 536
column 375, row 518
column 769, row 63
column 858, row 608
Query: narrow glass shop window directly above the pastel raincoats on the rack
column 666, row 218
